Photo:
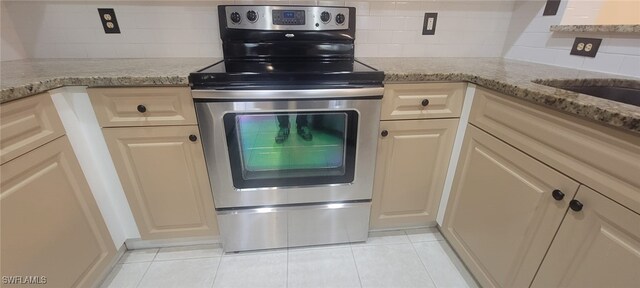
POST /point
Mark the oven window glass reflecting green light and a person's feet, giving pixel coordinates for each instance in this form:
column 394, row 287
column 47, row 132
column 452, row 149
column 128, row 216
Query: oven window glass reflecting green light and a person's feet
column 291, row 149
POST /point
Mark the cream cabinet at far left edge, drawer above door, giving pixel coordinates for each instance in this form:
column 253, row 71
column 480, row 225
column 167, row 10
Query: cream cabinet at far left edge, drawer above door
column 52, row 228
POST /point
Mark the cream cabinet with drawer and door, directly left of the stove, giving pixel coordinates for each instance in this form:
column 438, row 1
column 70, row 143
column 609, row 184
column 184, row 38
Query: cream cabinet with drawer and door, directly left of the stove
column 160, row 164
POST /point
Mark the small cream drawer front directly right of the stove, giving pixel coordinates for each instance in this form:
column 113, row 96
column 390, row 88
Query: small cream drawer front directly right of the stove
column 405, row 101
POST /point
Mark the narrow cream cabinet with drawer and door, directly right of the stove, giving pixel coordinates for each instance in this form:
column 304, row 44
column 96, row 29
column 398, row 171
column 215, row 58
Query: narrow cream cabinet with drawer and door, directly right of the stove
column 413, row 155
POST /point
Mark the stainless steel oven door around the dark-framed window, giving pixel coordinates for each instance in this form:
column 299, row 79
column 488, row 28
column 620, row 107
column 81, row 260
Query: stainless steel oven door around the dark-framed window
column 274, row 152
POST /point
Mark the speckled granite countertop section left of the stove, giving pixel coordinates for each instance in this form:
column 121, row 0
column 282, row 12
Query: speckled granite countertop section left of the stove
column 27, row 77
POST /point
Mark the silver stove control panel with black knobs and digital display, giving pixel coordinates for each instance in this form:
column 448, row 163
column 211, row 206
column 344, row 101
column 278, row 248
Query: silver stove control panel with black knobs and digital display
column 310, row 18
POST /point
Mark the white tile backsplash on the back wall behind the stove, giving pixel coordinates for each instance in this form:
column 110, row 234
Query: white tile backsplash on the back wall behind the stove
column 72, row 29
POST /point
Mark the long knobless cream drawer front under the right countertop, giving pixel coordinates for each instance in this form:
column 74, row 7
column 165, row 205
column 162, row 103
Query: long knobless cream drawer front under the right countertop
column 602, row 158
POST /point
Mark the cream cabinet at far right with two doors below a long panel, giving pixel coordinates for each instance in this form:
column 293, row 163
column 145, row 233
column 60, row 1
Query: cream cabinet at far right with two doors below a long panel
column 519, row 170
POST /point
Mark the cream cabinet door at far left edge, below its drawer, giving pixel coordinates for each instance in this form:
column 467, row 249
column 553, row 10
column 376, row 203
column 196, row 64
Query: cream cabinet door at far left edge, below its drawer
column 52, row 230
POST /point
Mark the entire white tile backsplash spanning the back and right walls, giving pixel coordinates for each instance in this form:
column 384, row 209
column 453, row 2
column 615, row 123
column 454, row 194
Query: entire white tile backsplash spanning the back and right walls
column 466, row 28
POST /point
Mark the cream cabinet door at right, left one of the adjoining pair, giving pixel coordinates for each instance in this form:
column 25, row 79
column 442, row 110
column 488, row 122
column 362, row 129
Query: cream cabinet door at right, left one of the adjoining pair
column 502, row 216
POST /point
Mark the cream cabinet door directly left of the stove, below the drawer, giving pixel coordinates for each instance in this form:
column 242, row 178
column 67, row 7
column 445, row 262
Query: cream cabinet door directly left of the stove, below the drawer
column 164, row 177
